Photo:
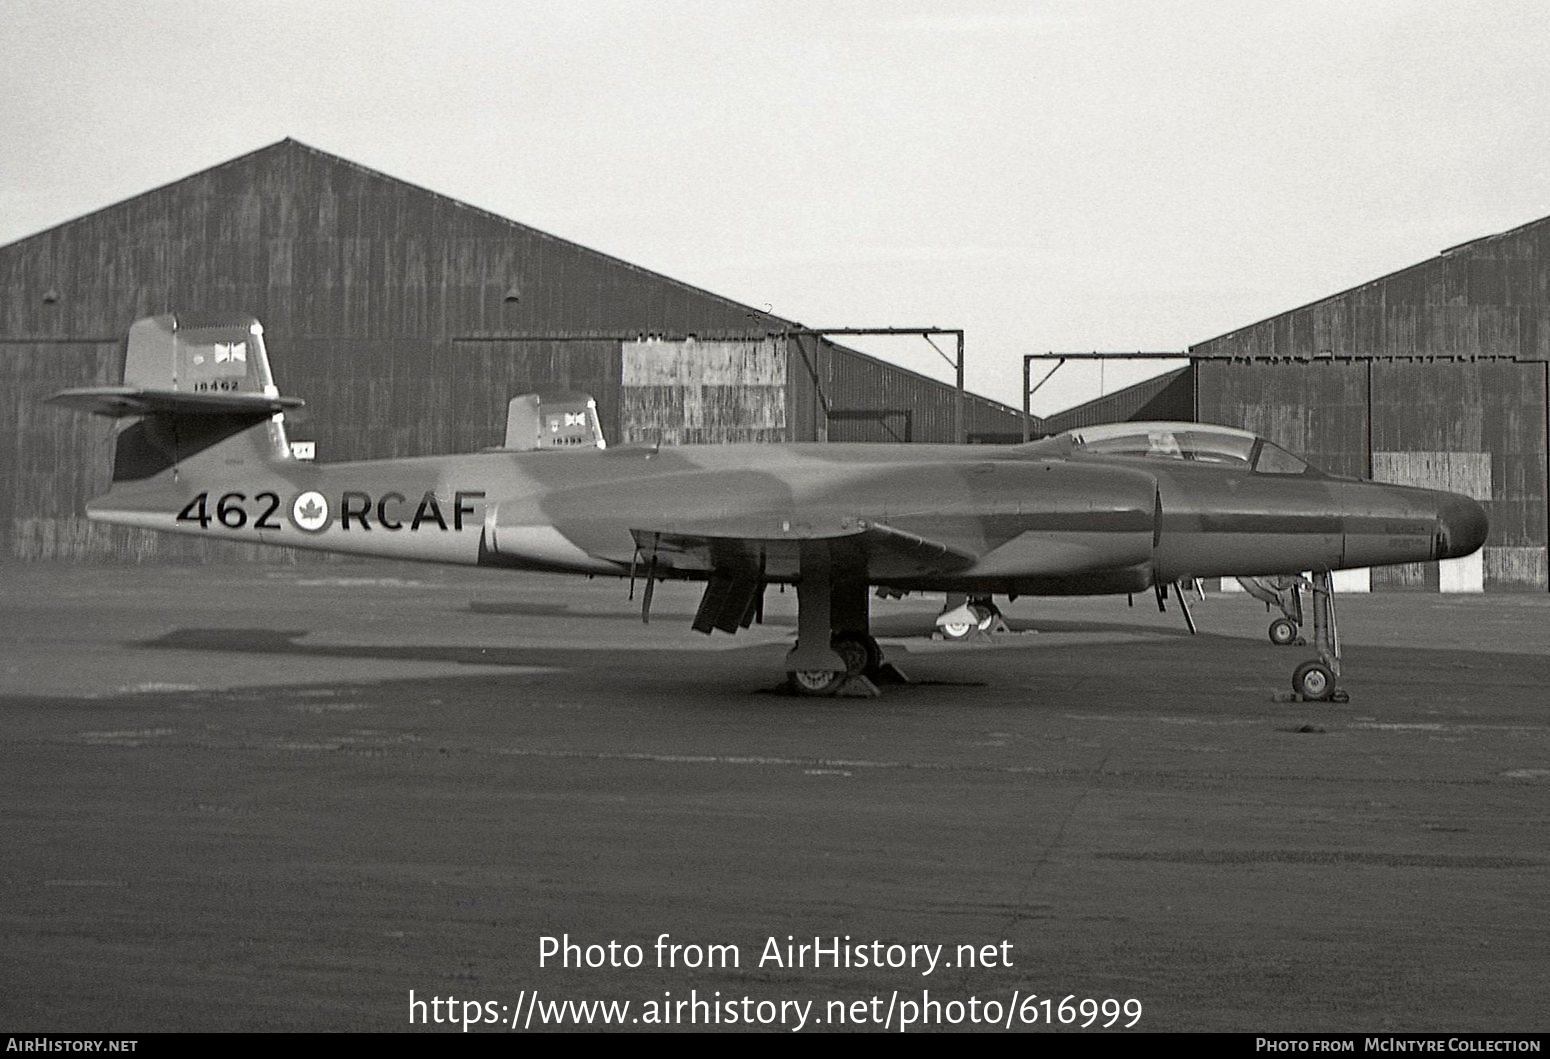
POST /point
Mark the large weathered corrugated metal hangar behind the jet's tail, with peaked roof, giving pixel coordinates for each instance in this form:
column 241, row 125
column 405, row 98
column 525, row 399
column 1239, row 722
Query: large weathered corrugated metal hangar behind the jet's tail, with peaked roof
column 407, row 320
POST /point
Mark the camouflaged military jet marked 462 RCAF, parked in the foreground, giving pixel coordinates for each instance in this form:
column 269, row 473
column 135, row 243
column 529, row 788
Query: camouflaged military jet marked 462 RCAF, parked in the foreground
column 1114, row 509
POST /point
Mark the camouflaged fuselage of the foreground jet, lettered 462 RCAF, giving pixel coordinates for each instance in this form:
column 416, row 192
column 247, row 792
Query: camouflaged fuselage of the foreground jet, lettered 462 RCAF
column 1078, row 525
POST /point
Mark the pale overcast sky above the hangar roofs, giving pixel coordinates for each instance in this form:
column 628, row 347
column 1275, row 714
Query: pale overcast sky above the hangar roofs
column 1045, row 176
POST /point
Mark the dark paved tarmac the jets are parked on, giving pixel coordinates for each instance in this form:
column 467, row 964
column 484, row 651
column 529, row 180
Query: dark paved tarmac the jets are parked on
column 284, row 798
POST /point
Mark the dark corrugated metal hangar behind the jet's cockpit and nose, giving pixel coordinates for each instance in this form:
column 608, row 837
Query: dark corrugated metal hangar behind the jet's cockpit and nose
column 1433, row 376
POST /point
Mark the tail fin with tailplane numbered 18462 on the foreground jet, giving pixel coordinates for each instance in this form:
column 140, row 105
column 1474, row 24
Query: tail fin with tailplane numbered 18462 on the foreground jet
column 196, row 384
